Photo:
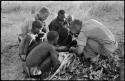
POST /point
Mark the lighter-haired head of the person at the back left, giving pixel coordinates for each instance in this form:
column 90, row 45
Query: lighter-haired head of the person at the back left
column 43, row 14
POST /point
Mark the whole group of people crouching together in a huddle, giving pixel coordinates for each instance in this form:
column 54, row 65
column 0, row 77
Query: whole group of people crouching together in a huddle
column 39, row 46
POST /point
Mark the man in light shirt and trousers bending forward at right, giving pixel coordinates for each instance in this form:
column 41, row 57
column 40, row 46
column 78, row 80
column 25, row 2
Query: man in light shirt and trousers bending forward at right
column 93, row 39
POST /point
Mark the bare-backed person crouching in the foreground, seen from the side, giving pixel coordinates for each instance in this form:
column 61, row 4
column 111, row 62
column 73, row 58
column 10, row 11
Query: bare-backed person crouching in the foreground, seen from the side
column 44, row 55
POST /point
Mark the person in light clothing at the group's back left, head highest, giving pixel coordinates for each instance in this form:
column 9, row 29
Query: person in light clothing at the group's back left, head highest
column 26, row 27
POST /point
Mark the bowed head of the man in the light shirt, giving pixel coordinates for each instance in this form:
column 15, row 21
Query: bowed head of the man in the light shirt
column 75, row 26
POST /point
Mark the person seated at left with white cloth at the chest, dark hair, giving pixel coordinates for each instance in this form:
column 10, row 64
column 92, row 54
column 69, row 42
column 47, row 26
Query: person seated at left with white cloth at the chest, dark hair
column 29, row 41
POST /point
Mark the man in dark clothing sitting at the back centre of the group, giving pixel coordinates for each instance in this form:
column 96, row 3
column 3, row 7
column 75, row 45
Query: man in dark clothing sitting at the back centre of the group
column 59, row 24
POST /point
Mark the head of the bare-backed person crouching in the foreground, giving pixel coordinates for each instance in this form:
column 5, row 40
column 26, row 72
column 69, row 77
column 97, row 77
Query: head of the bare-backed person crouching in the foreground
column 53, row 37
